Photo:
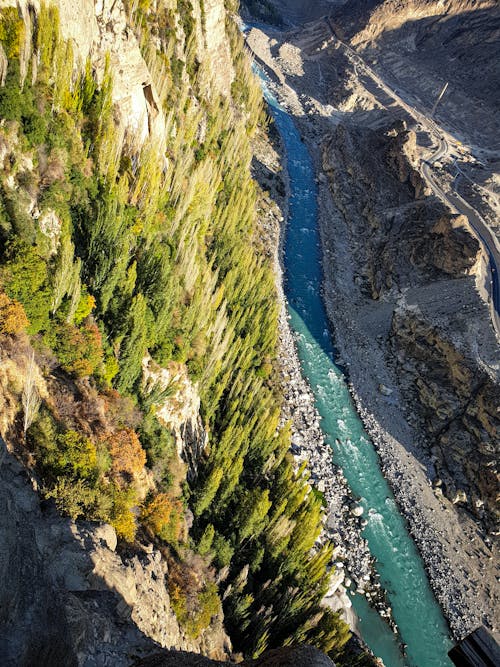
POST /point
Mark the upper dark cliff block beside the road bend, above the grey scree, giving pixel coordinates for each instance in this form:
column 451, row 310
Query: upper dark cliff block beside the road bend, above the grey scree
column 408, row 237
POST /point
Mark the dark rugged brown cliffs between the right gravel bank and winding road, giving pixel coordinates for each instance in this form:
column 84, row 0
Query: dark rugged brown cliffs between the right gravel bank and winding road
column 411, row 249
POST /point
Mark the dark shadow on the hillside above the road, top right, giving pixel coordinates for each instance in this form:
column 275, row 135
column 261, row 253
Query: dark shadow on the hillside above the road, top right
column 459, row 48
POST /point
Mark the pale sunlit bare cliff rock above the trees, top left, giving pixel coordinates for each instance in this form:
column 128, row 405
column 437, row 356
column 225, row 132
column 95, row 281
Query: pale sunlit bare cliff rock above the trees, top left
column 101, row 32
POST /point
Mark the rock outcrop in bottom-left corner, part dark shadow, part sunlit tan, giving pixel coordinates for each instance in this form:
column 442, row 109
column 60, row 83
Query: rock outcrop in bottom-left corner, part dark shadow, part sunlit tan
column 68, row 598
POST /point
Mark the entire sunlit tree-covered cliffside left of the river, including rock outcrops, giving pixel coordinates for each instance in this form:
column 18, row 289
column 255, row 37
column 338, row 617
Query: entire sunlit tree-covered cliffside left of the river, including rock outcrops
column 139, row 326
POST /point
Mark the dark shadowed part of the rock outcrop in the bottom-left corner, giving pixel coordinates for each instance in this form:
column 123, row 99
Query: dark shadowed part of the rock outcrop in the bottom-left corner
column 54, row 610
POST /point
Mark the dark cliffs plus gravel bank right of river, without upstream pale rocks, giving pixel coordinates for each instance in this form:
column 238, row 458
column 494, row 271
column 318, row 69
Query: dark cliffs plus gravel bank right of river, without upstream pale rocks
column 417, row 321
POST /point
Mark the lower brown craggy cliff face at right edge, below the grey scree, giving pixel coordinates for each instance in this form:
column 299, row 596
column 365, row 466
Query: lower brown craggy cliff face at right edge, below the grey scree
column 457, row 403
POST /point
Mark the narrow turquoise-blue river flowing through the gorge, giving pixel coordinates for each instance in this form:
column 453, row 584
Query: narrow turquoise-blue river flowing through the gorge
column 421, row 624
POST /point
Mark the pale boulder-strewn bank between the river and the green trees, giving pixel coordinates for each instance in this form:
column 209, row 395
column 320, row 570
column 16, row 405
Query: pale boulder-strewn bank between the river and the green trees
column 353, row 563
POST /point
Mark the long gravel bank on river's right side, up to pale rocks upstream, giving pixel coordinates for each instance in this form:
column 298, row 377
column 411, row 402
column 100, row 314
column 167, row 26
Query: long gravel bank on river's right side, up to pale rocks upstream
column 459, row 560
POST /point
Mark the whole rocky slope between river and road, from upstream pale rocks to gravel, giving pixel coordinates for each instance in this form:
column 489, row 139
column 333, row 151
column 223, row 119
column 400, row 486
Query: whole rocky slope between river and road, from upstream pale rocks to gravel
column 404, row 288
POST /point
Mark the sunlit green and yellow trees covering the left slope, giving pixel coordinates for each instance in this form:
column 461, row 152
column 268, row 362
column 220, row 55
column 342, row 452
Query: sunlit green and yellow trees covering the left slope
column 157, row 251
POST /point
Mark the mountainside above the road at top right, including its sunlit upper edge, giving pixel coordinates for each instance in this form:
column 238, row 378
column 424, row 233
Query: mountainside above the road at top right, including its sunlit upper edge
column 422, row 44
